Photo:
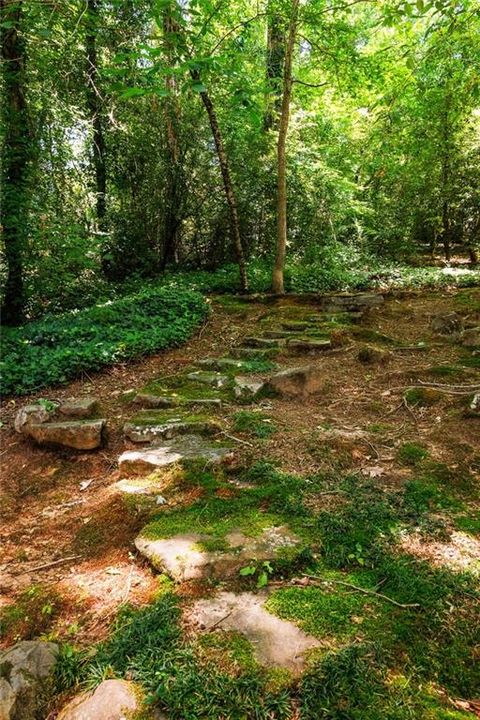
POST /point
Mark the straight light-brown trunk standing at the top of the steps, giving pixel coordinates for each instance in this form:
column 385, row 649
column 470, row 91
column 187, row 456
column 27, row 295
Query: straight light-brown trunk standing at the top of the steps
column 278, row 268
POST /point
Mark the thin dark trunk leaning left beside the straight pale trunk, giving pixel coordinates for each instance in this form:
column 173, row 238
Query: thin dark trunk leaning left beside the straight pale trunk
column 227, row 183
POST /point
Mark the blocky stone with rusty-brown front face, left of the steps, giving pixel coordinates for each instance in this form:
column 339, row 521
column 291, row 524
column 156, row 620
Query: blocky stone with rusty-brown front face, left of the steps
column 77, row 434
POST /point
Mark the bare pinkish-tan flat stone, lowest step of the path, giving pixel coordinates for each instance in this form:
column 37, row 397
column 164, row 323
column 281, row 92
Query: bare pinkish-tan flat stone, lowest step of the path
column 276, row 642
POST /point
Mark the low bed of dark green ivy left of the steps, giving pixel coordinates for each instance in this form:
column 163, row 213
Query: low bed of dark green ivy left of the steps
column 54, row 349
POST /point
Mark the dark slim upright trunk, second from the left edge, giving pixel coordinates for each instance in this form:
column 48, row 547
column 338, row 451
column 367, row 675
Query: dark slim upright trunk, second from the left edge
column 94, row 104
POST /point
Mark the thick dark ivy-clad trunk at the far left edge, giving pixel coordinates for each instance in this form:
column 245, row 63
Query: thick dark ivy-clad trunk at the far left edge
column 14, row 196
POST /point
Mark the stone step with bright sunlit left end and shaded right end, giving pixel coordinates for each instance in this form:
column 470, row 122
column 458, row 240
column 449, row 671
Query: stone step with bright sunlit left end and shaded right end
column 189, row 447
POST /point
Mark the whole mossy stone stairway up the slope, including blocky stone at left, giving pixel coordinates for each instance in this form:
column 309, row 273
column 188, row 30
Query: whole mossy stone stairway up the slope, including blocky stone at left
column 179, row 420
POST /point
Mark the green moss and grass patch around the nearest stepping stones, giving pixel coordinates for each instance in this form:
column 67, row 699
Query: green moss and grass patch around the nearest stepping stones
column 377, row 660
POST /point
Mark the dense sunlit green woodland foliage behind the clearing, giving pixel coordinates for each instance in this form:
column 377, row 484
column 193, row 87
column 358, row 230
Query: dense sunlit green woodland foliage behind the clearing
column 121, row 176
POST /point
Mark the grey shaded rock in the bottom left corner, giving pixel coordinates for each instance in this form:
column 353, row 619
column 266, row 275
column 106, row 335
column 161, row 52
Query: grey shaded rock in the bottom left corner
column 25, row 670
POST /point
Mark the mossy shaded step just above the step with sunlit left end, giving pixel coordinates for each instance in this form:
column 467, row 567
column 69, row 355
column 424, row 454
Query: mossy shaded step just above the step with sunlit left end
column 149, row 425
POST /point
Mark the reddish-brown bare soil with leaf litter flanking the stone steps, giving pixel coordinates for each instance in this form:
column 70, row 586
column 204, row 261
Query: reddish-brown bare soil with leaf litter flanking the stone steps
column 63, row 525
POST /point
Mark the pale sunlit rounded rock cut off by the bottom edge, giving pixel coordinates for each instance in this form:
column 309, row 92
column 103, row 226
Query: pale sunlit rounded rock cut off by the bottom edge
column 112, row 700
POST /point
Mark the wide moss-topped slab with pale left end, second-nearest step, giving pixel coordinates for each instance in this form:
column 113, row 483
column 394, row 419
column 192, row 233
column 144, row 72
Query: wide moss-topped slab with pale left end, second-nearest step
column 184, row 558
